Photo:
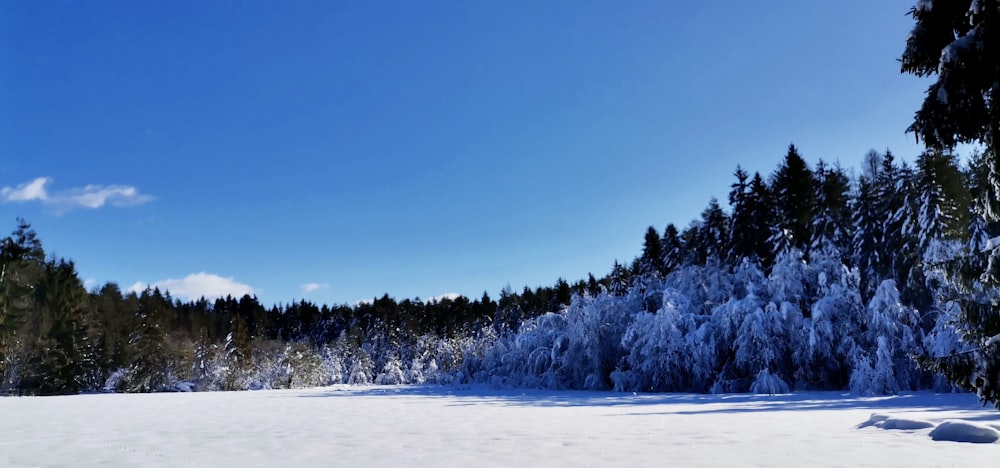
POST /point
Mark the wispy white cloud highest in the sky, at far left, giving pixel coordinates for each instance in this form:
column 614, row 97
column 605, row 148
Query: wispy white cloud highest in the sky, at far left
column 89, row 196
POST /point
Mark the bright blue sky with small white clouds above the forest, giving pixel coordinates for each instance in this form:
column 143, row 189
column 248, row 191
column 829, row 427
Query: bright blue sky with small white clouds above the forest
column 417, row 148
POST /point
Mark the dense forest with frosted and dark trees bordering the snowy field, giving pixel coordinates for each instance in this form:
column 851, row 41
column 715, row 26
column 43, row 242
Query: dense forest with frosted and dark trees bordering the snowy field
column 811, row 278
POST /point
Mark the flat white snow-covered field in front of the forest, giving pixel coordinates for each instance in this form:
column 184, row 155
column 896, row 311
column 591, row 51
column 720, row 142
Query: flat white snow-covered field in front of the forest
column 481, row 426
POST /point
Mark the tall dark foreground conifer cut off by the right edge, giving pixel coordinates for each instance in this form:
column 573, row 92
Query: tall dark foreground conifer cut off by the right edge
column 959, row 42
